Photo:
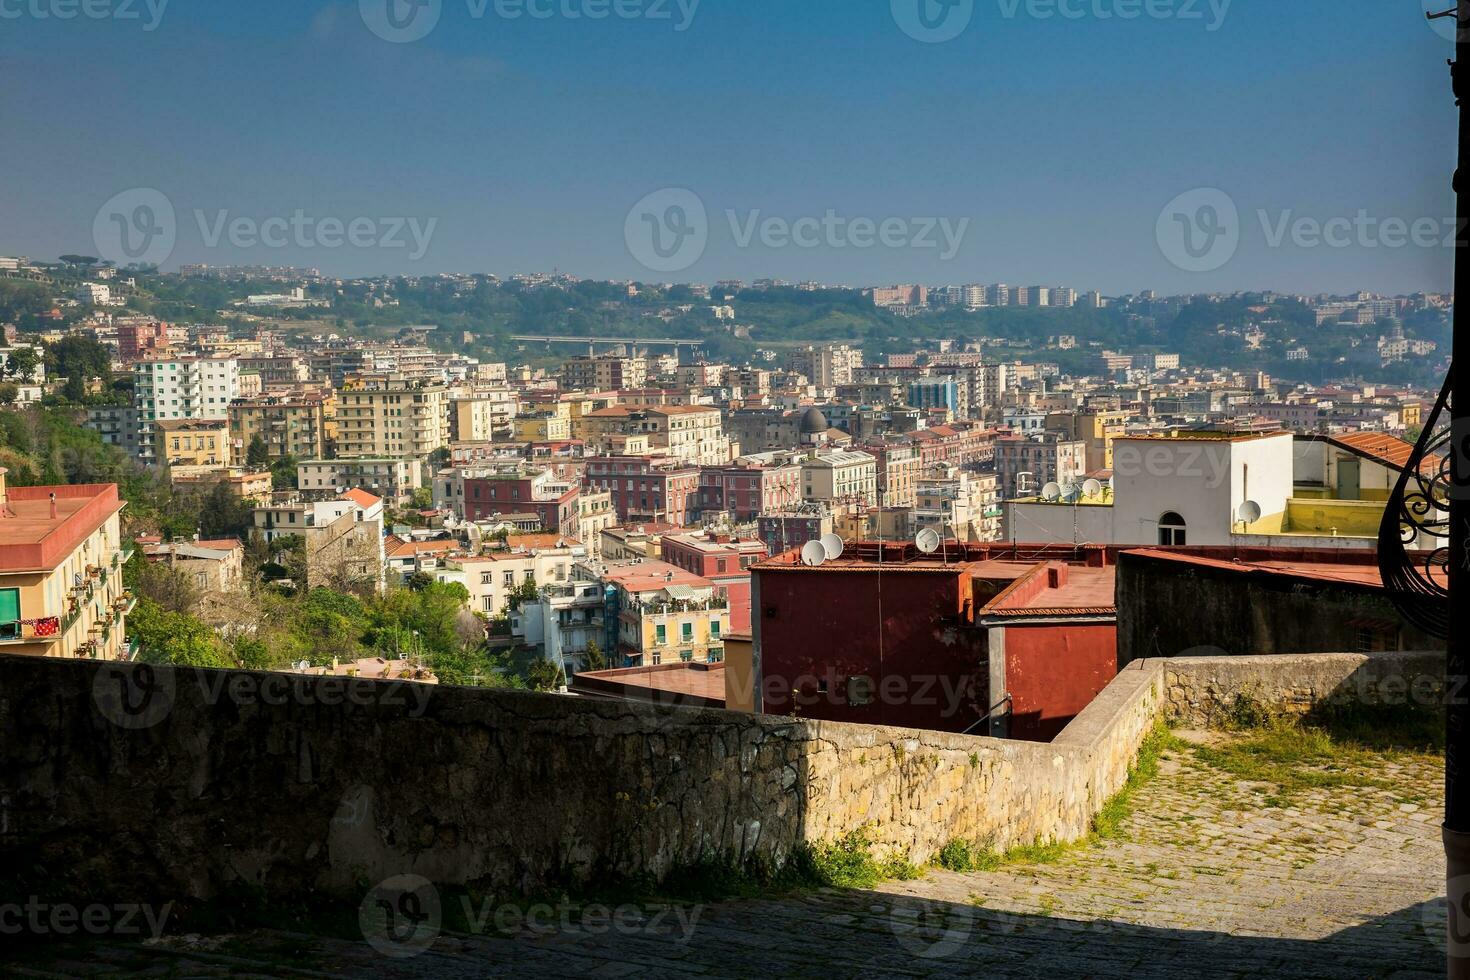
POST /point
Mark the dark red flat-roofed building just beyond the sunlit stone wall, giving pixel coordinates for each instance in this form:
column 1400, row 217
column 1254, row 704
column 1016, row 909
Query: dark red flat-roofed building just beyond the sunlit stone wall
column 993, row 640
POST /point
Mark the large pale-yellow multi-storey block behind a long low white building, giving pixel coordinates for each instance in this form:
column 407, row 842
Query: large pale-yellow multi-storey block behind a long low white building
column 392, row 418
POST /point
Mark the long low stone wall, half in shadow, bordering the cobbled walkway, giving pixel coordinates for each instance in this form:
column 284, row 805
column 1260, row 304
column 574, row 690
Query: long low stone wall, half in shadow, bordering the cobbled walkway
column 142, row 784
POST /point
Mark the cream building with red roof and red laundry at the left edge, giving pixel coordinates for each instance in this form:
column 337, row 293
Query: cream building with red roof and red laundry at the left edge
column 61, row 572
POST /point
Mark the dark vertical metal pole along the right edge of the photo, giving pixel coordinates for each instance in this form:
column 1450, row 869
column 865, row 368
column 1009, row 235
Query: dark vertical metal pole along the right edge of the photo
column 1458, row 665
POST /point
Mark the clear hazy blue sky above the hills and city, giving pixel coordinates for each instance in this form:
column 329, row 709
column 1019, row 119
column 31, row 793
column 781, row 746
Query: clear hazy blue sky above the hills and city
column 1183, row 146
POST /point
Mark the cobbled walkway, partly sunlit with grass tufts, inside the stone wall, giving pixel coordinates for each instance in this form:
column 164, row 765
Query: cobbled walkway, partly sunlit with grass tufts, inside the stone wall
column 1211, row 884
